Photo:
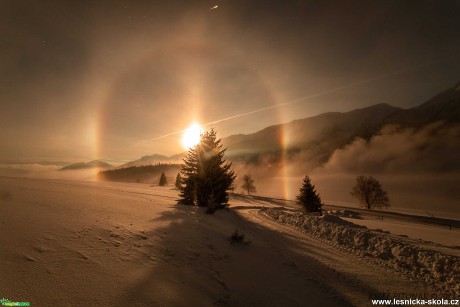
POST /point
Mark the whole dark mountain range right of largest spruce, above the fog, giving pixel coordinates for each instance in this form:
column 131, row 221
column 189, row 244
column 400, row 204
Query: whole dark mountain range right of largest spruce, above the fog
column 314, row 140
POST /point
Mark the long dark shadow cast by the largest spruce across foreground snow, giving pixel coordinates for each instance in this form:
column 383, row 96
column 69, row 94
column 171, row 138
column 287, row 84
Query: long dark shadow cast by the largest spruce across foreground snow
column 190, row 262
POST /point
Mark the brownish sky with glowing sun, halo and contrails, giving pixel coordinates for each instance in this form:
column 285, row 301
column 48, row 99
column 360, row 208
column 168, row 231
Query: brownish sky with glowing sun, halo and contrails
column 84, row 80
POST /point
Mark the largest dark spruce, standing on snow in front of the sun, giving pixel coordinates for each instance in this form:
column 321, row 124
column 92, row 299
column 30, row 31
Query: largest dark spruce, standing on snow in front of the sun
column 206, row 176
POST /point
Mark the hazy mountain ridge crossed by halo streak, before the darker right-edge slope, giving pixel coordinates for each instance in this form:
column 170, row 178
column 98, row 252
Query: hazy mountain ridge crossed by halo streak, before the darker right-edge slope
column 320, row 134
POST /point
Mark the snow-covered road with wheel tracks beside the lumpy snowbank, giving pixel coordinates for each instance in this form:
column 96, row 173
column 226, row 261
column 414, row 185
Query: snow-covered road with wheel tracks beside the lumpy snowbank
column 353, row 278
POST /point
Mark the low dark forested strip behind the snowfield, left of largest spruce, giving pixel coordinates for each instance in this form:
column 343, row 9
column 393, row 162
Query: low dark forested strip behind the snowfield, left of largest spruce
column 145, row 174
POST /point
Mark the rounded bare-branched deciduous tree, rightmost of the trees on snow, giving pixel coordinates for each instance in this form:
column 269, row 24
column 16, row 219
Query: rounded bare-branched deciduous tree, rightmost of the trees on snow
column 370, row 193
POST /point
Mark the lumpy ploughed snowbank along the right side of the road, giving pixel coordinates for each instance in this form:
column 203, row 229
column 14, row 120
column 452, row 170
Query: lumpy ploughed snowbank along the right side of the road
column 442, row 271
